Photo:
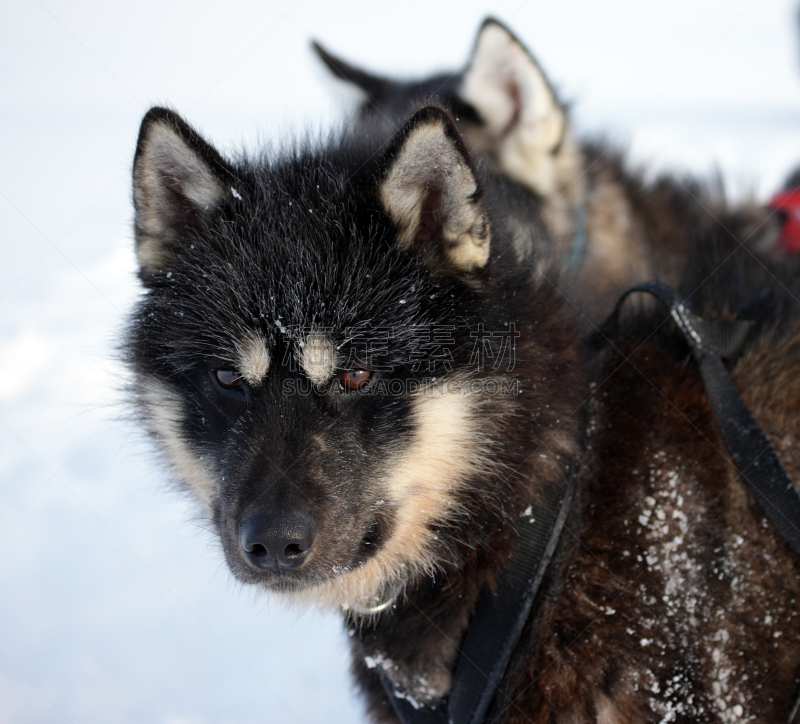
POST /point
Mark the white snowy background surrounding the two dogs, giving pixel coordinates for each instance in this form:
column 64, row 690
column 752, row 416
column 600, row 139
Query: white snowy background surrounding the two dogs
column 115, row 603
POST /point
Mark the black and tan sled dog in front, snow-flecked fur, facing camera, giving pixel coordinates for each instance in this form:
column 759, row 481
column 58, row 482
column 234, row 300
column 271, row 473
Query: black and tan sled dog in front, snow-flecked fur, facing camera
column 353, row 357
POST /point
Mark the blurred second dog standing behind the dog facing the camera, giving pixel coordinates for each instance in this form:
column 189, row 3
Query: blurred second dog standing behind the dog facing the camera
column 609, row 227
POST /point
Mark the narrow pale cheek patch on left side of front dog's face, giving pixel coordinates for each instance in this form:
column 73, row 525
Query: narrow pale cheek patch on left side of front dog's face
column 164, row 418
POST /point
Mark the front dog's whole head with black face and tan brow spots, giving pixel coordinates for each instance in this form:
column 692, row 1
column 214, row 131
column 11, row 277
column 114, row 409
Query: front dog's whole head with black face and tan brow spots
column 304, row 352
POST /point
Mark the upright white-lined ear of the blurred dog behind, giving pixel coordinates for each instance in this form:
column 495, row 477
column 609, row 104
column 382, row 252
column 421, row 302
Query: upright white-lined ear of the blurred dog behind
column 508, row 88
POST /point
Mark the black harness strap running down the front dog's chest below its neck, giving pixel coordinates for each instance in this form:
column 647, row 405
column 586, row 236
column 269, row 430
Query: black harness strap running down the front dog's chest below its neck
column 498, row 620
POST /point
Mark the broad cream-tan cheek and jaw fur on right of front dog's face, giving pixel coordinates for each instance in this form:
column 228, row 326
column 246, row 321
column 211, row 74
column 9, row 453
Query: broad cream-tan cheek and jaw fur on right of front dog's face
column 421, row 483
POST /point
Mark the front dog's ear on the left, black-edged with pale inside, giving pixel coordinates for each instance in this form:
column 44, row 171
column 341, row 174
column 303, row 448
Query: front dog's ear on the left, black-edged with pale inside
column 177, row 179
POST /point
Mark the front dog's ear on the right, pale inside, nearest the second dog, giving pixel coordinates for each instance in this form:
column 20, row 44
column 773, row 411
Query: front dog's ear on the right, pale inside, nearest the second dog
column 431, row 192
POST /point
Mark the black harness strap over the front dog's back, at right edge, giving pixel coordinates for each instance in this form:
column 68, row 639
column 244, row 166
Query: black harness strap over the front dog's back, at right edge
column 754, row 457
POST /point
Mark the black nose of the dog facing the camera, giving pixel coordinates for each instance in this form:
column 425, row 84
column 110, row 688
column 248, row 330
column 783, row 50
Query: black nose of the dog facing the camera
column 278, row 539
